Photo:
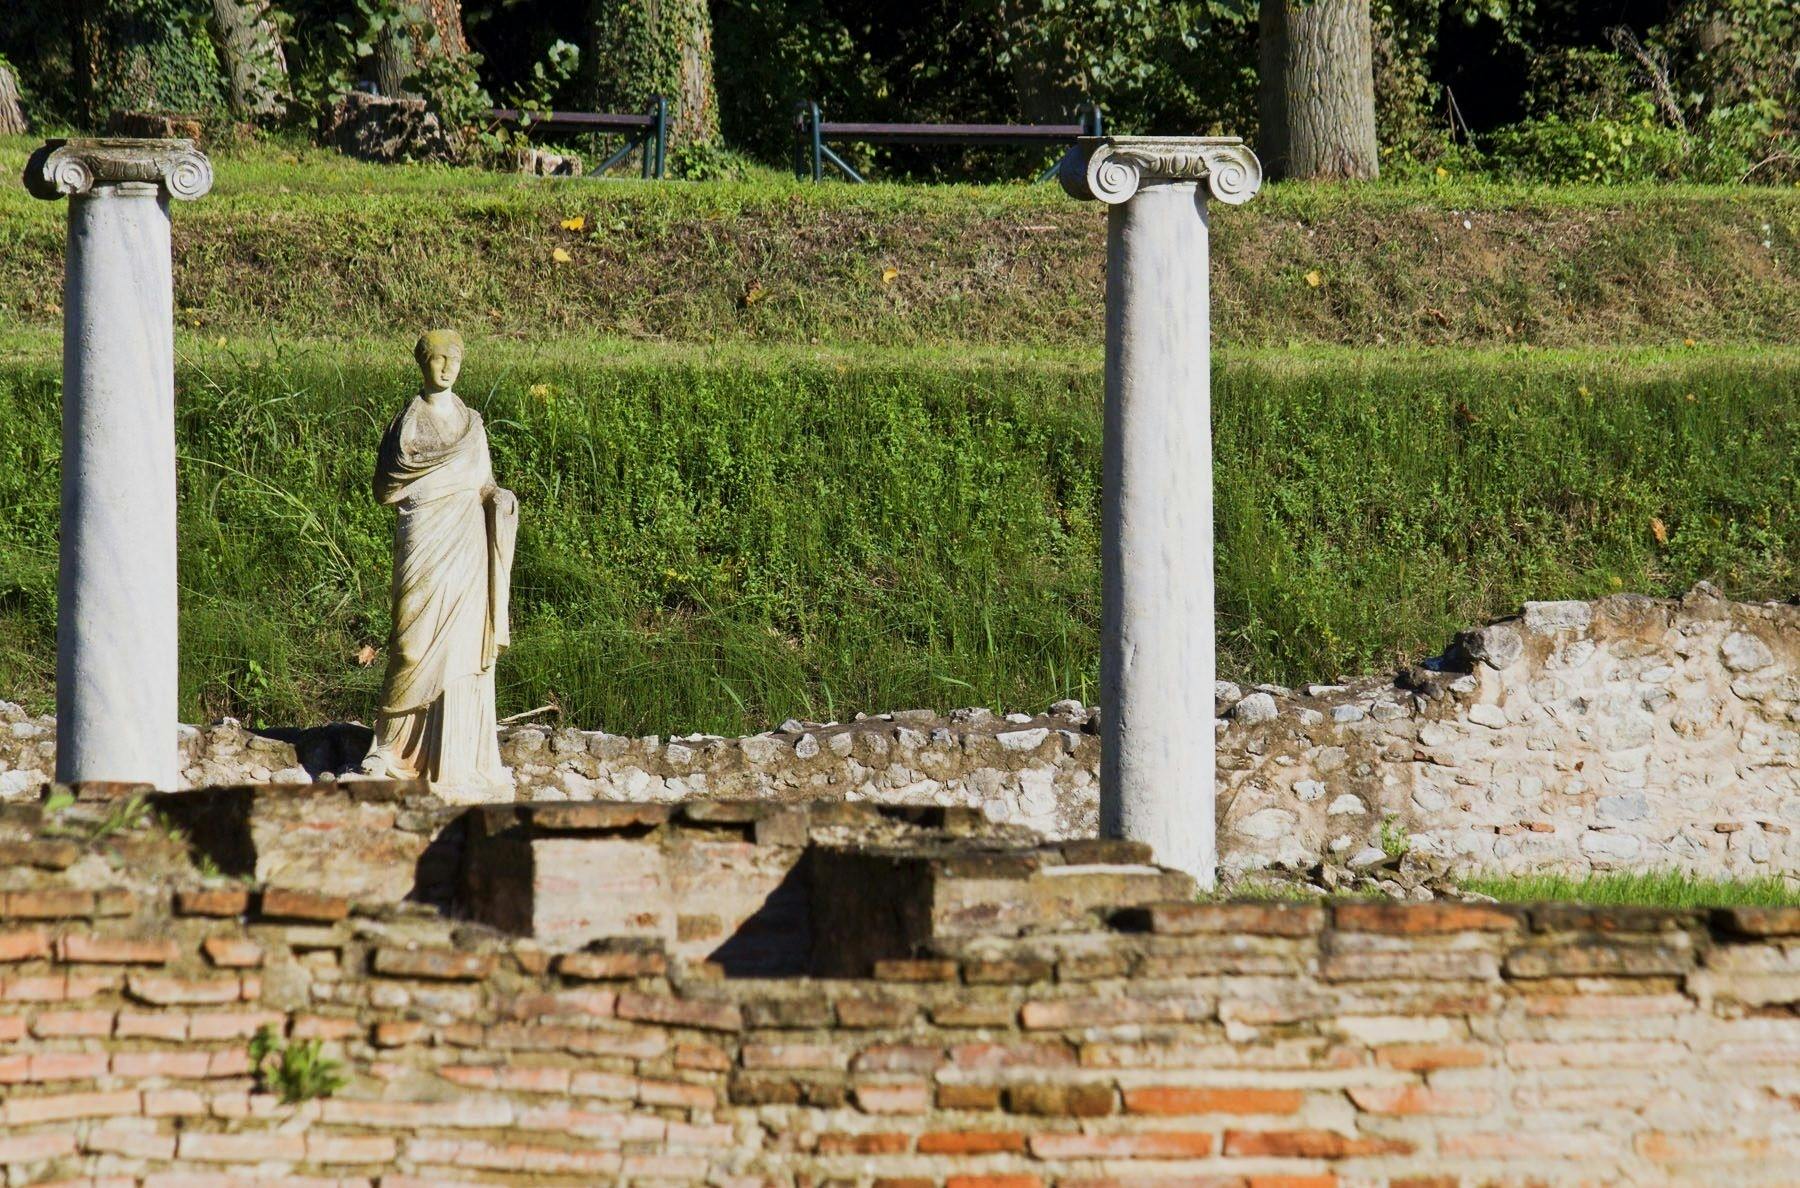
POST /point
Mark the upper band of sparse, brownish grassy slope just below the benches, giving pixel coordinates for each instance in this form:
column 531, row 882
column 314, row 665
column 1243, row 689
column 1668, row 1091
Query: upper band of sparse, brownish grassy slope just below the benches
column 309, row 246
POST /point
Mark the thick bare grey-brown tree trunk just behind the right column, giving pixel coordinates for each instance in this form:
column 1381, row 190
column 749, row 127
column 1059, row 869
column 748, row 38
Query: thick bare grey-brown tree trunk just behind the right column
column 1317, row 89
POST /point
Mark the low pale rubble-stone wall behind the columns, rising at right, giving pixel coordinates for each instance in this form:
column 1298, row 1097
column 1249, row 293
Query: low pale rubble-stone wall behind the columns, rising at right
column 1628, row 733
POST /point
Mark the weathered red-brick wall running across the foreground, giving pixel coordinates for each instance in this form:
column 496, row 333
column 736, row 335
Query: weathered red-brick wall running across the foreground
column 1167, row 1043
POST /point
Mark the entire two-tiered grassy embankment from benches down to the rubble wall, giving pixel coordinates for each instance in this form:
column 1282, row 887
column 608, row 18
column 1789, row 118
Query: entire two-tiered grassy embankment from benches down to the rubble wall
column 762, row 481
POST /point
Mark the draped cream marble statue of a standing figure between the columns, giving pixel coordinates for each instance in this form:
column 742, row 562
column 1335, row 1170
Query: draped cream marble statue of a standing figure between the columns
column 453, row 570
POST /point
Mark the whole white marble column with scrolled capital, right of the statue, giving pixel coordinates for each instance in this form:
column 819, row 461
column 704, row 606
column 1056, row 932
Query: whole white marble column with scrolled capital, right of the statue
column 1156, row 537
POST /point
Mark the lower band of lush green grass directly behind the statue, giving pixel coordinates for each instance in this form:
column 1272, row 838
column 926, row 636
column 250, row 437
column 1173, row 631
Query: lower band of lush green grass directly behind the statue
column 717, row 539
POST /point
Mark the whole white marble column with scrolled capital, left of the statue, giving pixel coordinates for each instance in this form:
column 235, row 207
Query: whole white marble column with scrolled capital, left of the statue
column 116, row 622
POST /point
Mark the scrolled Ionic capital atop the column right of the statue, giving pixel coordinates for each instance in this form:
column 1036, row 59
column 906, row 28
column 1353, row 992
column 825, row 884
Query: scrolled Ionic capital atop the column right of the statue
column 1113, row 168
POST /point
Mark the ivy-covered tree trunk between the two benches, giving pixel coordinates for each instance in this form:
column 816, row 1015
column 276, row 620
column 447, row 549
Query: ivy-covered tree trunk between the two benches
column 638, row 49
